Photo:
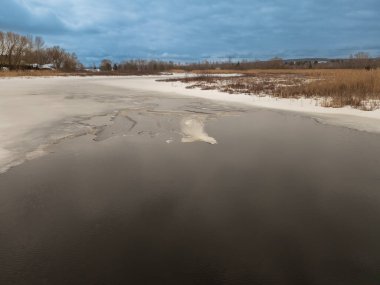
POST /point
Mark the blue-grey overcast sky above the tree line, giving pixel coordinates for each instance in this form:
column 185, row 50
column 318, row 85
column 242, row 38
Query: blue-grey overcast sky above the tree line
column 184, row 30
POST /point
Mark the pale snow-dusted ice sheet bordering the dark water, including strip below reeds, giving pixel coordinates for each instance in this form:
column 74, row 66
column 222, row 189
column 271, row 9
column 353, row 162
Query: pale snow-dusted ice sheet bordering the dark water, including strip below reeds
column 34, row 113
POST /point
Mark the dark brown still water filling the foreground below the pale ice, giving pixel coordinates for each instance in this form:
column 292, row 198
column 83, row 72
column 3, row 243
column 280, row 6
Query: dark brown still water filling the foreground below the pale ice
column 279, row 200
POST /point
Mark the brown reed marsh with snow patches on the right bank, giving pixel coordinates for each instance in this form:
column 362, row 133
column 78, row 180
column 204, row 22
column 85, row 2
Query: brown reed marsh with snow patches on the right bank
column 337, row 88
